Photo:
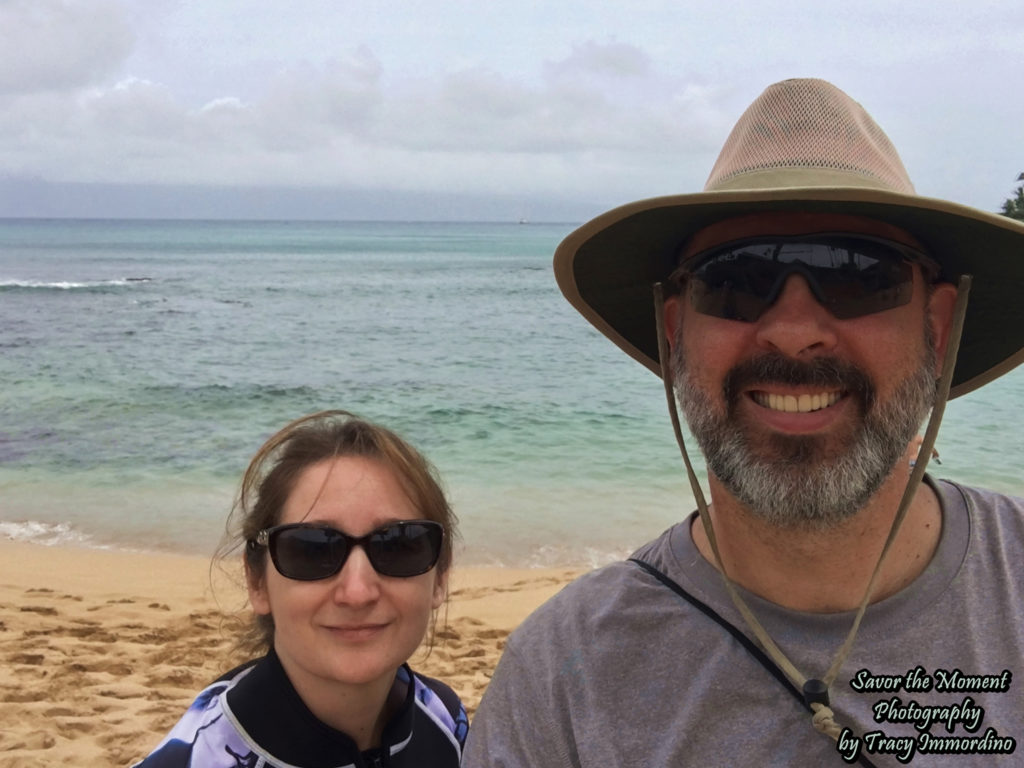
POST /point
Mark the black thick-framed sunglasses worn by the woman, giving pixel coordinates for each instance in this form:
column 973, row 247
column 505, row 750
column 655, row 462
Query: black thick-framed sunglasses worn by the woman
column 308, row 552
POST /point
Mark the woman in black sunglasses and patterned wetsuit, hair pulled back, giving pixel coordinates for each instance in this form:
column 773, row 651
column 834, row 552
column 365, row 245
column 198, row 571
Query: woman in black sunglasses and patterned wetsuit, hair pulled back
column 348, row 548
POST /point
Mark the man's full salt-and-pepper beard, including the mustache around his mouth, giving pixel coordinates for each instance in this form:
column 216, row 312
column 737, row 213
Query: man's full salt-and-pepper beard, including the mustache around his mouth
column 793, row 484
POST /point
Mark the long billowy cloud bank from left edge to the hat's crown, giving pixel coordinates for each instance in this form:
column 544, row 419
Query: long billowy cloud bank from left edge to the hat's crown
column 345, row 122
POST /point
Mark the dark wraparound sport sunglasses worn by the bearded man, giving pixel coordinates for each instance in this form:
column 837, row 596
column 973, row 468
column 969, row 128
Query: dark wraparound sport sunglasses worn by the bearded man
column 850, row 275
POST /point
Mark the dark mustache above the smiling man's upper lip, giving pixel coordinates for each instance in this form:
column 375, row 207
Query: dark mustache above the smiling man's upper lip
column 822, row 373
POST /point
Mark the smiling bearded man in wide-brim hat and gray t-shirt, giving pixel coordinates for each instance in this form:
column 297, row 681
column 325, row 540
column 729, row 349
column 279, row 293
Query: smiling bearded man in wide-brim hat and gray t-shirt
column 826, row 607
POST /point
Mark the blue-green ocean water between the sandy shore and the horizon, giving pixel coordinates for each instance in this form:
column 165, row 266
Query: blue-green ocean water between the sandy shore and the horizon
column 144, row 363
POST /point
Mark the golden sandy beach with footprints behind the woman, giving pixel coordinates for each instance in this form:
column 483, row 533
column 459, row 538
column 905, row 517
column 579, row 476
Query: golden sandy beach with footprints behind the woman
column 102, row 652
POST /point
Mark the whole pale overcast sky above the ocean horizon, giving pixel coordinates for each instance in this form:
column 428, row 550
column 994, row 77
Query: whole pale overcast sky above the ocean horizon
column 465, row 109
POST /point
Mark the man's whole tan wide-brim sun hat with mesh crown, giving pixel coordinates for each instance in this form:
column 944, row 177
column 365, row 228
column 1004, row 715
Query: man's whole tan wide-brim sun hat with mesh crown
column 804, row 146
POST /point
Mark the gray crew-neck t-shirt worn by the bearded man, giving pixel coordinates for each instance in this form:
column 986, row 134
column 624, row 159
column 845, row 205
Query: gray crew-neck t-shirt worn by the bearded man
column 618, row 670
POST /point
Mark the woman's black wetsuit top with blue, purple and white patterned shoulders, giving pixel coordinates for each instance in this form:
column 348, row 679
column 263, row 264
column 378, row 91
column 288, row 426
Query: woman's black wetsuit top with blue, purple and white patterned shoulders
column 253, row 718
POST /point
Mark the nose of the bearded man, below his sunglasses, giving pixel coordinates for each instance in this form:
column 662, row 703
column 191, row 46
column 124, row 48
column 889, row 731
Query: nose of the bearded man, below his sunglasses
column 797, row 325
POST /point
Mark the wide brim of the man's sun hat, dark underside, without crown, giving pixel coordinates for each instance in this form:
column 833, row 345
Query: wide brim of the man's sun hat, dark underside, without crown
column 607, row 268
